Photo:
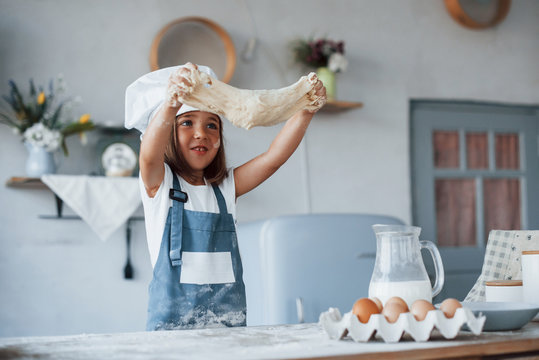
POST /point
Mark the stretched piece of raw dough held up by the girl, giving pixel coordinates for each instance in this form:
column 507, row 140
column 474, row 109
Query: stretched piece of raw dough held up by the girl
column 248, row 108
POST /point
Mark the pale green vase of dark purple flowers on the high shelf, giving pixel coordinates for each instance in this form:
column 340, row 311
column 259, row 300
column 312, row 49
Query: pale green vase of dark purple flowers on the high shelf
column 324, row 55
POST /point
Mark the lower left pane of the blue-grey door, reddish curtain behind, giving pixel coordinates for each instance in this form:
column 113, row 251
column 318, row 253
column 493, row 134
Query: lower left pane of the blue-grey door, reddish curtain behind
column 455, row 212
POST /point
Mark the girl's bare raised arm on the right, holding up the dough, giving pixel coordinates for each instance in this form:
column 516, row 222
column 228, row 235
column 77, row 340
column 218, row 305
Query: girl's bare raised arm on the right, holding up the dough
column 256, row 171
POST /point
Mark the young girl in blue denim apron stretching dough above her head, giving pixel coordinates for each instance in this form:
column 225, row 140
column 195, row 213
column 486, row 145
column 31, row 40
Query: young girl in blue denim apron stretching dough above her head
column 189, row 199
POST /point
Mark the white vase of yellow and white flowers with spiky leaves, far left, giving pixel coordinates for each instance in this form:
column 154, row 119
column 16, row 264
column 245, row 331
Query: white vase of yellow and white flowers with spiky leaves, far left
column 44, row 121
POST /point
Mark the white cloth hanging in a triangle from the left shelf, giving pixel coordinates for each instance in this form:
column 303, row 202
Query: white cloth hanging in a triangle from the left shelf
column 104, row 203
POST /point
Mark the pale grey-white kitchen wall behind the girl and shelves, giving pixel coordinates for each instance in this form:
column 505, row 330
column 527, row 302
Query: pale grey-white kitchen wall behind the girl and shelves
column 56, row 277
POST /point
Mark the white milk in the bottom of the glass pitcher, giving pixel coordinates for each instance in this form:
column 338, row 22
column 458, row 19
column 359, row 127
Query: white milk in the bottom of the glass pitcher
column 409, row 291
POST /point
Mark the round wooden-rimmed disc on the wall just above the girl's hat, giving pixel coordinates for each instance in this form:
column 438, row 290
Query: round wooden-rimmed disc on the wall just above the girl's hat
column 195, row 39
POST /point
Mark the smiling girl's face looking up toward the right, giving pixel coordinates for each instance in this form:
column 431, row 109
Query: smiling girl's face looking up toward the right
column 198, row 138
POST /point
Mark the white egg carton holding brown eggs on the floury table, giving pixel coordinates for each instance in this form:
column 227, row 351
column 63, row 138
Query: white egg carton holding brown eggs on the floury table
column 337, row 326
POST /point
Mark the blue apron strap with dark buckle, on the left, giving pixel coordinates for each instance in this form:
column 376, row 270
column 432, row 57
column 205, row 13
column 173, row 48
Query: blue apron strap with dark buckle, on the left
column 176, row 194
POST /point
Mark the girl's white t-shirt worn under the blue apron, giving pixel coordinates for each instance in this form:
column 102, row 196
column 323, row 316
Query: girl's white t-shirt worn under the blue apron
column 200, row 198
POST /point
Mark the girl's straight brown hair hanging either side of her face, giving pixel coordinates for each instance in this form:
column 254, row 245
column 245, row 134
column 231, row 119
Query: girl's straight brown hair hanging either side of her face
column 214, row 173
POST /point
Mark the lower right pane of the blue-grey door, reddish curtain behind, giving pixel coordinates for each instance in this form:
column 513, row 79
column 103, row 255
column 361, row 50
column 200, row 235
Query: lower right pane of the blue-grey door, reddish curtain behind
column 502, row 204
